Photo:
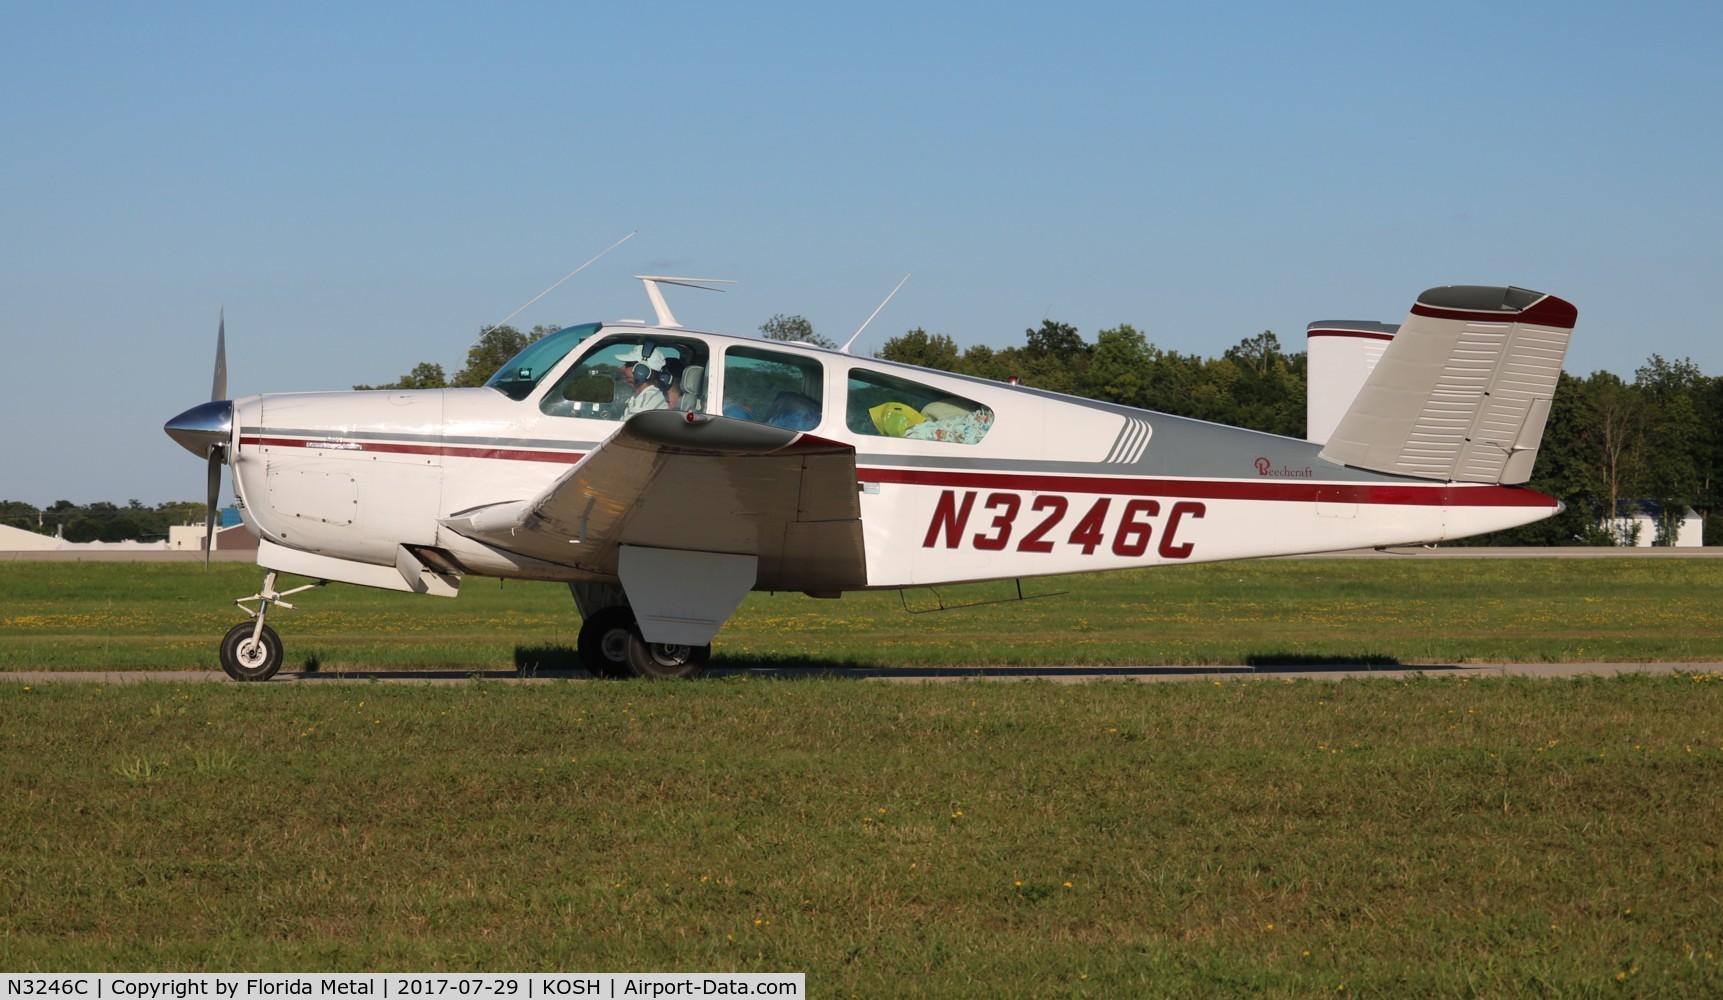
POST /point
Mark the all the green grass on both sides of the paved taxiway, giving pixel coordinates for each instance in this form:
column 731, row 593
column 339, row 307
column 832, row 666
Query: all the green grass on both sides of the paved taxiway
column 1286, row 839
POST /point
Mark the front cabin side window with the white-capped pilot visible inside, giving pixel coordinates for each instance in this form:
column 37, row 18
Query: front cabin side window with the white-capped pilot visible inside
column 630, row 373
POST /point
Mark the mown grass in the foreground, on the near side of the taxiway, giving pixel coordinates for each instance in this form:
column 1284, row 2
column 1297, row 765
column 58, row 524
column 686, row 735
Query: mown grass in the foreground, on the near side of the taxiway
column 1281, row 839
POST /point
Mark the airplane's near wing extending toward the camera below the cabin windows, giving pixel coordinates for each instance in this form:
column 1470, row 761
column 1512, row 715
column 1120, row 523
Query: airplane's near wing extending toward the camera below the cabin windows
column 695, row 484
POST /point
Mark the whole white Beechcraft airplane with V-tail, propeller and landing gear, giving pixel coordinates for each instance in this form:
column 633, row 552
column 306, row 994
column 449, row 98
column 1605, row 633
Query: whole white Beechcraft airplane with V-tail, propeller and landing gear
column 664, row 473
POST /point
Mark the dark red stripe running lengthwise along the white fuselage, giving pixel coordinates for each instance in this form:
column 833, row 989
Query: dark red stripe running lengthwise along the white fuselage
column 1272, row 491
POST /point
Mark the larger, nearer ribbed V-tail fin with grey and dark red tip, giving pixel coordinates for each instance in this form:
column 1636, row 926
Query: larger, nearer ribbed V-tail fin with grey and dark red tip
column 1464, row 391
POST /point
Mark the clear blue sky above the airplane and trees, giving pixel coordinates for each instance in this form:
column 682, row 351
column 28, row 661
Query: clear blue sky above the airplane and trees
column 368, row 187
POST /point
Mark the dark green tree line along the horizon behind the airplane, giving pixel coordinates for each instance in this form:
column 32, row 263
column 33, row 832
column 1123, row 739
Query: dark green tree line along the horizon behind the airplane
column 1608, row 444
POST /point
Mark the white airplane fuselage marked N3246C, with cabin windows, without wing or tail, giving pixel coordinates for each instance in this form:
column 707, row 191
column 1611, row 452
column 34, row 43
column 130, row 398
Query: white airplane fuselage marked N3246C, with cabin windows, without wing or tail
column 959, row 478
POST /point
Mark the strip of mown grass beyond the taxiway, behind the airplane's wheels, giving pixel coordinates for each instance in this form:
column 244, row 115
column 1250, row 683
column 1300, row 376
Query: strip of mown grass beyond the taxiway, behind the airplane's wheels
column 168, row 616
